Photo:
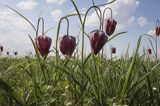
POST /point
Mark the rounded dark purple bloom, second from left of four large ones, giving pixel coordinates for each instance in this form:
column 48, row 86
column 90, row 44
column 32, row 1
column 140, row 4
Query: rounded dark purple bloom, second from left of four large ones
column 67, row 44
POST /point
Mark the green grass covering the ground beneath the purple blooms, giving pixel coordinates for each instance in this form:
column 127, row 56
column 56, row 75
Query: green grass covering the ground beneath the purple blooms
column 103, row 81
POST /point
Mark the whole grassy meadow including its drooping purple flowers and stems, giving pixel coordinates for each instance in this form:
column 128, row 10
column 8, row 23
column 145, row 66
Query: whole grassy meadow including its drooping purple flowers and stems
column 76, row 79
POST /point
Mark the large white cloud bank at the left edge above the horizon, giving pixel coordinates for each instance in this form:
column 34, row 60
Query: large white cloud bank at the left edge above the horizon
column 13, row 32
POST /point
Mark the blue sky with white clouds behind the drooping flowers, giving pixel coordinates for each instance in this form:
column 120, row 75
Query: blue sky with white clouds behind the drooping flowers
column 135, row 16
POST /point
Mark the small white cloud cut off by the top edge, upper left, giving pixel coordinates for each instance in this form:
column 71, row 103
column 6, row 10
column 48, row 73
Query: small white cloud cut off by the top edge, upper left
column 27, row 4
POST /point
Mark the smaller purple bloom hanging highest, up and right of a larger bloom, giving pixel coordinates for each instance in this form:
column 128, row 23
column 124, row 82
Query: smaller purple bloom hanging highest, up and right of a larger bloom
column 109, row 26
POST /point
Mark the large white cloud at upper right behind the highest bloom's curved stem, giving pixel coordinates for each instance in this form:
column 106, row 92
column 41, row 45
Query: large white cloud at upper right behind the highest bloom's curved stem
column 122, row 12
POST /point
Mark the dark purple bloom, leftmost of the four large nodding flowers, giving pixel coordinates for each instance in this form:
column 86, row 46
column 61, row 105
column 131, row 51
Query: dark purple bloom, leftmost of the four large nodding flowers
column 43, row 44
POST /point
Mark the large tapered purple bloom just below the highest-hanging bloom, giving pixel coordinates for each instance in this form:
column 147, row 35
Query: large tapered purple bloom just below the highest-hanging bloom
column 97, row 40
